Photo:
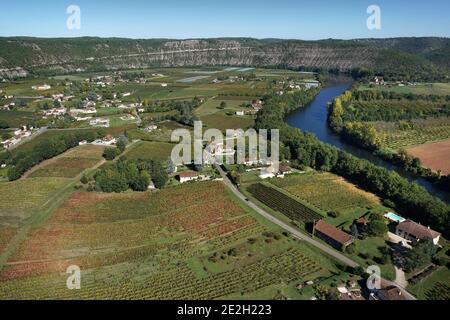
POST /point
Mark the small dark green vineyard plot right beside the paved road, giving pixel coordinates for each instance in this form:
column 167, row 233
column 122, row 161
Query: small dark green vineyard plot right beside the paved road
column 278, row 201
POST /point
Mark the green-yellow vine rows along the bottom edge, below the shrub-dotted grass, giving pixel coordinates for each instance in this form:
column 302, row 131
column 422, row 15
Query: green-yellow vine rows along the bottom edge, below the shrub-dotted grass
column 176, row 282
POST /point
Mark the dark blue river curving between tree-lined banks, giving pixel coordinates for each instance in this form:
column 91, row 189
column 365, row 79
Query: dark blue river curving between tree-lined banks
column 313, row 119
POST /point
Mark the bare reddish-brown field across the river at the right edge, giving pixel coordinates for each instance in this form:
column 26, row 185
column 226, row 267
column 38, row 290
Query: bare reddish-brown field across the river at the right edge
column 435, row 155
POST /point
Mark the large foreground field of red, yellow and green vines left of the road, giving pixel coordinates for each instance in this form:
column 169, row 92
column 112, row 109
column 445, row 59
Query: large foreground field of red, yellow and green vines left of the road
column 186, row 244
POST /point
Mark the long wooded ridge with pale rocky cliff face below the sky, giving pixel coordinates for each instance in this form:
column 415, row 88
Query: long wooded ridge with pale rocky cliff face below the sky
column 67, row 55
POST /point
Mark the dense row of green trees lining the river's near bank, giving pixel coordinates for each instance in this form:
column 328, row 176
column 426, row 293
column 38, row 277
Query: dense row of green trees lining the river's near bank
column 410, row 199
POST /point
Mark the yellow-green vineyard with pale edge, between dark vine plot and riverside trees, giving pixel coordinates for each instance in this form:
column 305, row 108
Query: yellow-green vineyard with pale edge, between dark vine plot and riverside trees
column 326, row 191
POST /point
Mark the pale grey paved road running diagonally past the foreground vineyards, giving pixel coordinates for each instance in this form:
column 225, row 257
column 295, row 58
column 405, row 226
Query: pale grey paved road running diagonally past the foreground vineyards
column 300, row 235
